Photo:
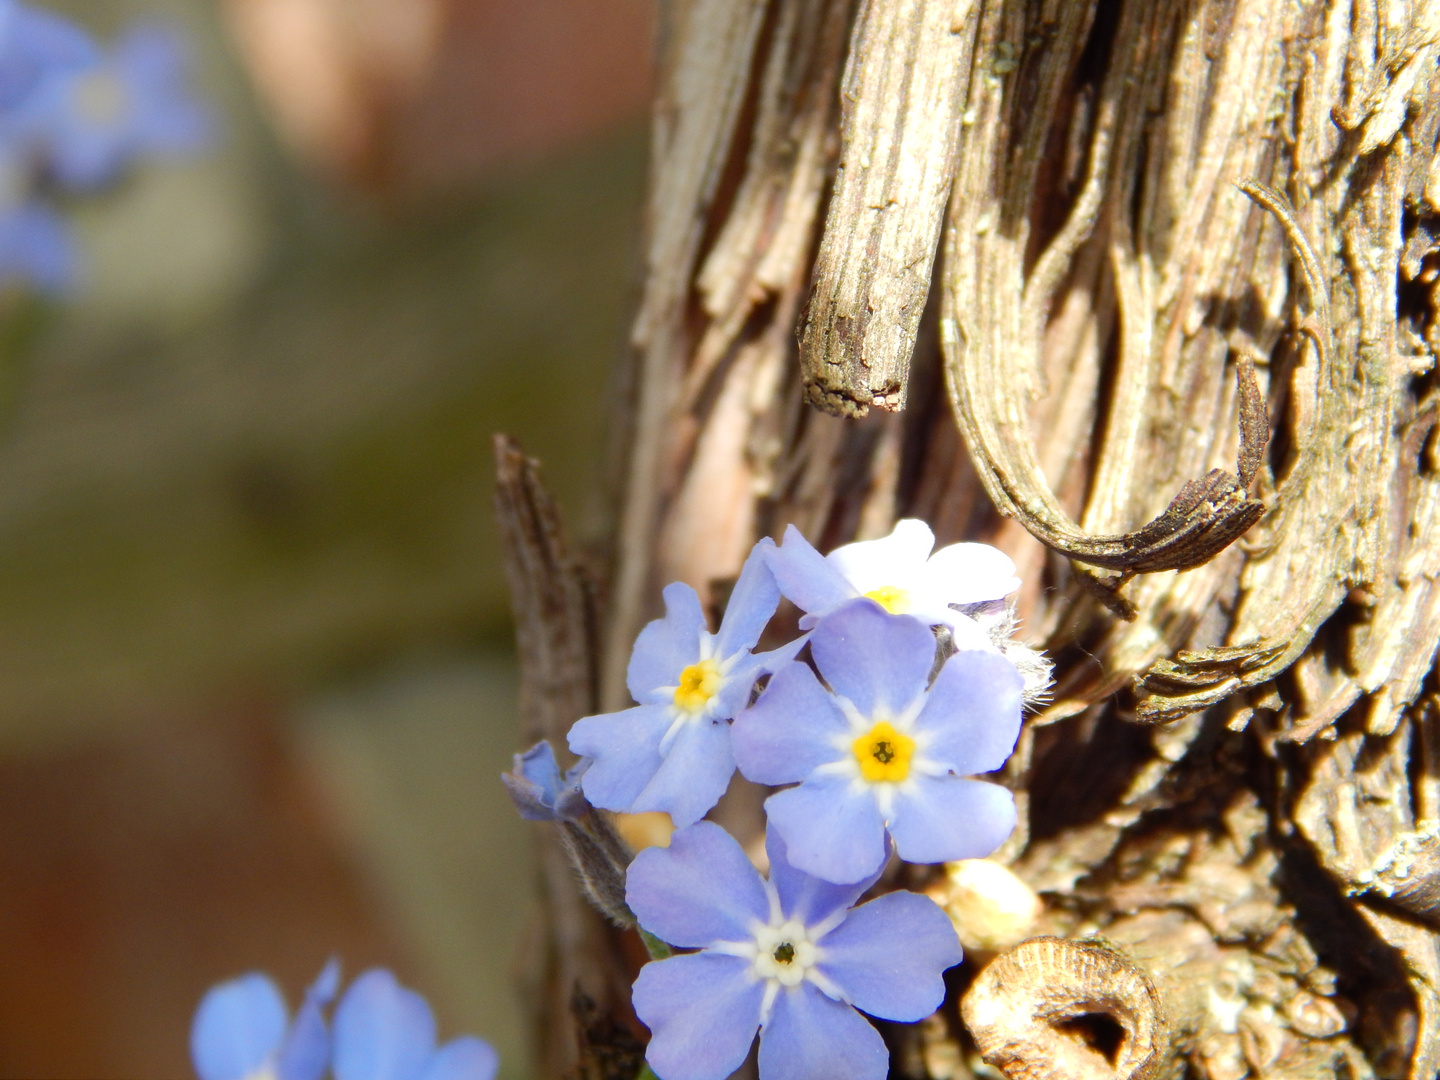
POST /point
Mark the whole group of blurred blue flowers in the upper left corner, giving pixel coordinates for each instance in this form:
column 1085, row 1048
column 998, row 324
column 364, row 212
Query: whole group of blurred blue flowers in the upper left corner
column 73, row 119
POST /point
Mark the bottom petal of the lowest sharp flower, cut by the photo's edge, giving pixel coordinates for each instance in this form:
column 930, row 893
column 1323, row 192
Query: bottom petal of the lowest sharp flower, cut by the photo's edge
column 813, row 1038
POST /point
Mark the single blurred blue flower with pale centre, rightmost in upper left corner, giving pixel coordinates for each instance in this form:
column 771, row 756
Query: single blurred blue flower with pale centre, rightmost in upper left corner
column 94, row 122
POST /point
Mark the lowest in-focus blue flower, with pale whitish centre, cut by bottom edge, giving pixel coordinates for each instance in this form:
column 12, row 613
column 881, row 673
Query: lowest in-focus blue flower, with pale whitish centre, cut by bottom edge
column 786, row 957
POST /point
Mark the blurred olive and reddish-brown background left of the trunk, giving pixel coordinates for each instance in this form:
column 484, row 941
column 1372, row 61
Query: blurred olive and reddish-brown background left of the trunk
column 256, row 682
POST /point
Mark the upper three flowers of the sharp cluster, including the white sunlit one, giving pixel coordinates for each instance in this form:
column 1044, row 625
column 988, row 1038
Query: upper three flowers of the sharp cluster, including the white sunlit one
column 878, row 747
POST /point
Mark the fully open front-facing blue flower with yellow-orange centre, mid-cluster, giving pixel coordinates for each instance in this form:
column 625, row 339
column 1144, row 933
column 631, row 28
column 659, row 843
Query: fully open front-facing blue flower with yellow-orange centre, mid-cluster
column 882, row 751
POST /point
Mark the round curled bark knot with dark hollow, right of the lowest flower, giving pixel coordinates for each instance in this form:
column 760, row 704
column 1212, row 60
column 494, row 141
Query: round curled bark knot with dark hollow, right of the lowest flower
column 1061, row 1010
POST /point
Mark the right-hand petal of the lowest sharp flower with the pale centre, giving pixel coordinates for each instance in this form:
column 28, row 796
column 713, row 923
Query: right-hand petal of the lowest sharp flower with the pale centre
column 889, row 955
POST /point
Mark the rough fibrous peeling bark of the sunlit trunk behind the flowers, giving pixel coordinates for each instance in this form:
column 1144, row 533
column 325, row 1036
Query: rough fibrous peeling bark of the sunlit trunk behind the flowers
column 1236, row 784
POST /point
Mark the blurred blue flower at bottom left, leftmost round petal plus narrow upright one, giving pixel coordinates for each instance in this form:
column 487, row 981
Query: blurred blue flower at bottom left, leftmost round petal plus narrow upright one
column 241, row 1032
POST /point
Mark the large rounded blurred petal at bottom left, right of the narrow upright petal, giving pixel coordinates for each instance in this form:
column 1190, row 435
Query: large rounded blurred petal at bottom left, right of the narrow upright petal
column 384, row 1032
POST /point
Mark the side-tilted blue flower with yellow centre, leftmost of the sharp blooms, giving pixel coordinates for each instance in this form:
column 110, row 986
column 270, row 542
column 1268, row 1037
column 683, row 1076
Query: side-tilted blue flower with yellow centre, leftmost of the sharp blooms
column 672, row 752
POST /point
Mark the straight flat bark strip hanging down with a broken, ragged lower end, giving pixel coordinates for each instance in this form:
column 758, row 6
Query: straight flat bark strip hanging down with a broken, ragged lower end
column 902, row 103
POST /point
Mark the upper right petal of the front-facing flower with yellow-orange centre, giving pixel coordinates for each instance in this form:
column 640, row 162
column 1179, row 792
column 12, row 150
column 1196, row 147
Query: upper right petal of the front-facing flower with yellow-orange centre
column 973, row 714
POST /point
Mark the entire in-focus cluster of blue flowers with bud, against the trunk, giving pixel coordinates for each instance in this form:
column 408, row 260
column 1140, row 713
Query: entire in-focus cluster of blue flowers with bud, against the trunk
column 909, row 690
